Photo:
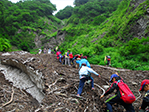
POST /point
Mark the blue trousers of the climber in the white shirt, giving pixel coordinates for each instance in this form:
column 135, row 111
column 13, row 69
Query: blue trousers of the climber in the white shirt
column 81, row 83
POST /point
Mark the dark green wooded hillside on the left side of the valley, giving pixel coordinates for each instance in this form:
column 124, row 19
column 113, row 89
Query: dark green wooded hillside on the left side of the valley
column 19, row 21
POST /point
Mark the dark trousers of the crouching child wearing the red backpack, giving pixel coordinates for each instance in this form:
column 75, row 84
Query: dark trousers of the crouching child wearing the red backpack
column 116, row 99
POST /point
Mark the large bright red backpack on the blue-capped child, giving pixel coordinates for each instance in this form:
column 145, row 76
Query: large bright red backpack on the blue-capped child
column 126, row 94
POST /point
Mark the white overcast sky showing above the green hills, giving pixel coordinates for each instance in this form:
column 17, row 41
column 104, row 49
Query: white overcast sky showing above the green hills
column 60, row 4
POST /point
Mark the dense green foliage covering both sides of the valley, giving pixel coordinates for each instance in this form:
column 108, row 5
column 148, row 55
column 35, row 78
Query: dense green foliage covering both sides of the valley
column 95, row 28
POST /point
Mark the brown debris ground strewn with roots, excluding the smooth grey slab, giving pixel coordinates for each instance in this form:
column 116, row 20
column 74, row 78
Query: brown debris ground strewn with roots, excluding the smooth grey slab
column 60, row 87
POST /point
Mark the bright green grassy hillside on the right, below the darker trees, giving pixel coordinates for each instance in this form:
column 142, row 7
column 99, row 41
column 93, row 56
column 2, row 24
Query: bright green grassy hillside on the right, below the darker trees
column 113, row 37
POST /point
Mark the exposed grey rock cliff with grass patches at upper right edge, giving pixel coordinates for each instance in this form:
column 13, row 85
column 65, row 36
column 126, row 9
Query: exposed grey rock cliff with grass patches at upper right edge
column 140, row 26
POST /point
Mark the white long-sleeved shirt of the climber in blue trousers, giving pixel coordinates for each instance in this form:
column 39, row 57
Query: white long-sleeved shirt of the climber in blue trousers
column 86, row 71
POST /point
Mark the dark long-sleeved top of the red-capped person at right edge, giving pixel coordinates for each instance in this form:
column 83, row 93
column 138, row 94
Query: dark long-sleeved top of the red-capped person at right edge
column 145, row 102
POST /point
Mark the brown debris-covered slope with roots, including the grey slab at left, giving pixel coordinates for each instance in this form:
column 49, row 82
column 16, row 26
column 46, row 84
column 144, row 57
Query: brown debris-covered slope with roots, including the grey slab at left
column 39, row 83
